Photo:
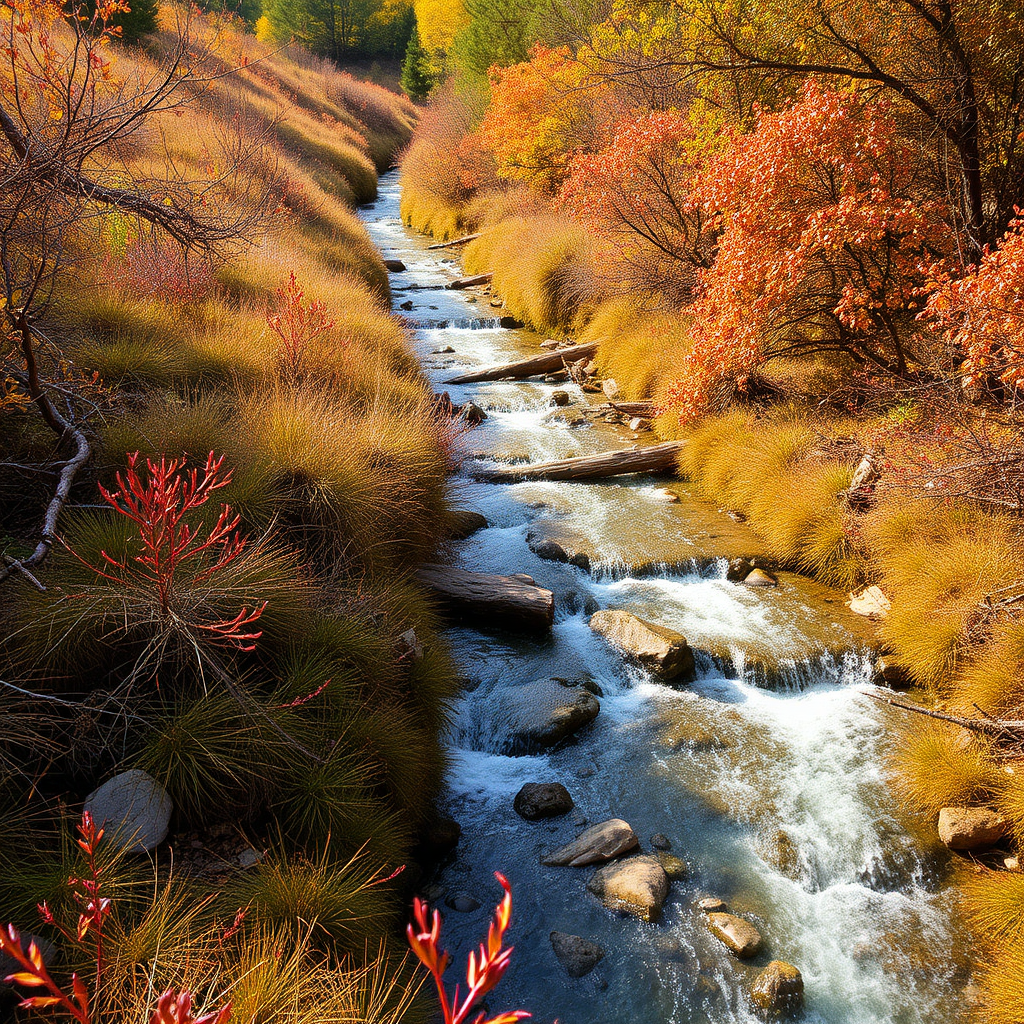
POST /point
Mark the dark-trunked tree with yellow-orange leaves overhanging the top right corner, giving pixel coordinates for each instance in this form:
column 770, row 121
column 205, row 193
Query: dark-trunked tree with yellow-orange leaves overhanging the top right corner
column 955, row 67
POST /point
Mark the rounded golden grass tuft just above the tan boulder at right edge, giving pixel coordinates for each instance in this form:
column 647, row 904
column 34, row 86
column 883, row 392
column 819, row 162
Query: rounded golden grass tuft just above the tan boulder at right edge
column 935, row 766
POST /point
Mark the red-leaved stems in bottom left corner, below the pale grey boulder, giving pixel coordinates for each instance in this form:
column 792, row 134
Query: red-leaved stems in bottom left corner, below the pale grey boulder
column 174, row 1007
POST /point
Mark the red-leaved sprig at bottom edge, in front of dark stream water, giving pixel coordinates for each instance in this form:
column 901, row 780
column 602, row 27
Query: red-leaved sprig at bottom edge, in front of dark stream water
column 486, row 968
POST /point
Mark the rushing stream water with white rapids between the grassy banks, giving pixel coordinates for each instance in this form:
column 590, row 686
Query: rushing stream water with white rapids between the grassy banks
column 774, row 797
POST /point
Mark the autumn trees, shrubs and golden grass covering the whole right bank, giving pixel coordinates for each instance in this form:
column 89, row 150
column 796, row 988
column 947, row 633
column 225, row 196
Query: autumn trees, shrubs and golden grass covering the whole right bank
column 798, row 237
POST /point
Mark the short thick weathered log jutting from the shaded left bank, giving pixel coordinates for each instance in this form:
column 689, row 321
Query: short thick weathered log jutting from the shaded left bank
column 499, row 601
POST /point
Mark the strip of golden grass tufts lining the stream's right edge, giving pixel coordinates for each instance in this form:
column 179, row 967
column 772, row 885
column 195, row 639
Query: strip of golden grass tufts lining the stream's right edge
column 783, row 462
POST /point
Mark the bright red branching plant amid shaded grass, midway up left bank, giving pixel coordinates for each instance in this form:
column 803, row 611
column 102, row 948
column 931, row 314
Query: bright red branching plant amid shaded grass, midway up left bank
column 160, row 503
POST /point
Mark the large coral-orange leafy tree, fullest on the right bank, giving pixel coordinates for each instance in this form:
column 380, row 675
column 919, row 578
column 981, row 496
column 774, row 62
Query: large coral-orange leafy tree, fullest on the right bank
column 825, row 246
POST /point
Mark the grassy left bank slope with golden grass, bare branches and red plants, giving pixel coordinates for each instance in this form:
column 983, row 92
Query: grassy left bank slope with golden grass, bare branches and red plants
column 219, row 467
